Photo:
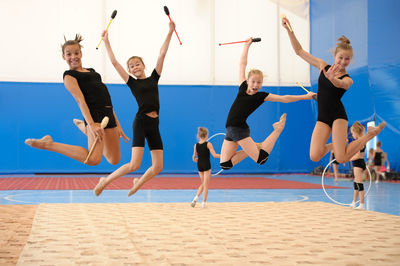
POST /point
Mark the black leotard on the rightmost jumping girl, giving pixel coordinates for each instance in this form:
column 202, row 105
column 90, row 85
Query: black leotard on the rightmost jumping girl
column 330, row 106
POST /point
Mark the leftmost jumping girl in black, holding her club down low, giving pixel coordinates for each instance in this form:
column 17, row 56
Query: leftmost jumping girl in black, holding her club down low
column 94, row 101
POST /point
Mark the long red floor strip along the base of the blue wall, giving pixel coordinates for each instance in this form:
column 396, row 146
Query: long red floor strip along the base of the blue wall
column 84, row 183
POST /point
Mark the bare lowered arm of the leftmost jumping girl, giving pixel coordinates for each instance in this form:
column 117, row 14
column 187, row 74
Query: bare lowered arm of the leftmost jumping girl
column 72, row 86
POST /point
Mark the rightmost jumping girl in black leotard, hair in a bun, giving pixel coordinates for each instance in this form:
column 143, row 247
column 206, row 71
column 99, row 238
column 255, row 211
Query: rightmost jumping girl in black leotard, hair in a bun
column 333, row 82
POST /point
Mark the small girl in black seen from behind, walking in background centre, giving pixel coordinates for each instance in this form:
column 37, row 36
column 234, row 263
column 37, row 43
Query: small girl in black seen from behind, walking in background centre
column 203, row 149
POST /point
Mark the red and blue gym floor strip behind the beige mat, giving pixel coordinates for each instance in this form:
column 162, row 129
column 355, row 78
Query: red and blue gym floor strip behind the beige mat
column 383, row 197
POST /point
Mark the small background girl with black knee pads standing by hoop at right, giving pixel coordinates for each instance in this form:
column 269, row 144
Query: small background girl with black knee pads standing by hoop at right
column 357, row 130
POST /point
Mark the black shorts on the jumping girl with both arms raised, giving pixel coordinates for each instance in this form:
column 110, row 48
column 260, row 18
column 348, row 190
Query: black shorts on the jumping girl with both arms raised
column 146, row 127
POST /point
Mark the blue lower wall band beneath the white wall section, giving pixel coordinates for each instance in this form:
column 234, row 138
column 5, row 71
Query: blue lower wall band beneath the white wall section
column 31, row 110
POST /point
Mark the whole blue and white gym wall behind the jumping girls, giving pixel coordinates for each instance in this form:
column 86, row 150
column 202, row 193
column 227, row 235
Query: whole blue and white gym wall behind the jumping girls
column 199, row 80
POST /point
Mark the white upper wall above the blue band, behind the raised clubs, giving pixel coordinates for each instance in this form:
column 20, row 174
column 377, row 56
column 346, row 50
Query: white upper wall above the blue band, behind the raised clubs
column 33, row 31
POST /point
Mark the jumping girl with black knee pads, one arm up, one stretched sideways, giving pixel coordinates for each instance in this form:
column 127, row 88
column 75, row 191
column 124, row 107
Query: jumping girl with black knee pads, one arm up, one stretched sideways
column 248, row 99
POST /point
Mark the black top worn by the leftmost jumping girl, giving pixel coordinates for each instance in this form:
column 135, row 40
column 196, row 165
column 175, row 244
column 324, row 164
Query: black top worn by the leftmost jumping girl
column 93, row 89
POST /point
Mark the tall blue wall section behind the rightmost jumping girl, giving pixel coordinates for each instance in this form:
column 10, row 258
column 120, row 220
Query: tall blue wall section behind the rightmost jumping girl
column 372, row 28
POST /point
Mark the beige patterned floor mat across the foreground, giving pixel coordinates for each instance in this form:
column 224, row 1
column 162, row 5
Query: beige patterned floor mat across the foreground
column 268, row 233
